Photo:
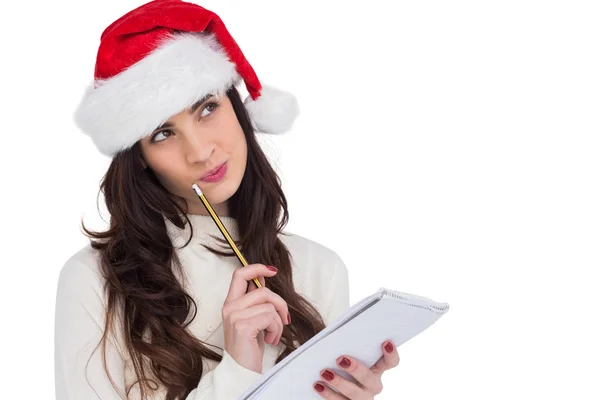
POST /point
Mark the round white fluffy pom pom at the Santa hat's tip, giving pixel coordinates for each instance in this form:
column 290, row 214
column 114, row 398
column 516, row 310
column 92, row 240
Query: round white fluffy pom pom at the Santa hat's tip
column 274, row 111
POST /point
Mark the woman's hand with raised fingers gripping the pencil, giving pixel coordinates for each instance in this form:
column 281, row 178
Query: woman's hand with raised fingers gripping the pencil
column 247, row 314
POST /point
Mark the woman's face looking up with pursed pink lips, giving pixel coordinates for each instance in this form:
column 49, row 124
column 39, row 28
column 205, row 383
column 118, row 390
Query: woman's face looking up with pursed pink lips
column 192, row 143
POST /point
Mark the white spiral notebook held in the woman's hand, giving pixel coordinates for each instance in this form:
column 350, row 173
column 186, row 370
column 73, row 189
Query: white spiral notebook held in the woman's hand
column 359, row 332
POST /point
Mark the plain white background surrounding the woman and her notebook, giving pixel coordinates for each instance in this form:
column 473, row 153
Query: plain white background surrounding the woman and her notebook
column 446, row 149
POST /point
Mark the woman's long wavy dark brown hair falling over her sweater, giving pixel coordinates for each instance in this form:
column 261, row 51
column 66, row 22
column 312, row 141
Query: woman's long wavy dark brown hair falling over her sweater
column 138, row 261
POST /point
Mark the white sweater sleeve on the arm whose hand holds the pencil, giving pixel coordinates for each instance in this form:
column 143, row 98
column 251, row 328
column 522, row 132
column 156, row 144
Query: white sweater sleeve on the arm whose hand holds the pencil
column 79, row 369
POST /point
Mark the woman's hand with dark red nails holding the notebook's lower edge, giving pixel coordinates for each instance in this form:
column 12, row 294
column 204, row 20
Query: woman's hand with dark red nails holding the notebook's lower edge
column 369, row 379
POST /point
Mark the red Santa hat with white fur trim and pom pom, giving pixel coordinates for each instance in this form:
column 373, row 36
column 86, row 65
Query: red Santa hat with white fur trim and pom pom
column 159, row 59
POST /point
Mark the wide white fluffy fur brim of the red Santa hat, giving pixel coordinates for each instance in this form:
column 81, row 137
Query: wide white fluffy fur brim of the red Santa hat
column 127, row 107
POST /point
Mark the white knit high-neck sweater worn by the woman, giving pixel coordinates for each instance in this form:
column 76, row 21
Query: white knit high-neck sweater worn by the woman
column 319, row 274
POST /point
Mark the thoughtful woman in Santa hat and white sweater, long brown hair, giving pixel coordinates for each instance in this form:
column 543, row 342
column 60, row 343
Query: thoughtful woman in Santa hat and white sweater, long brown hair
column 157, row 306
